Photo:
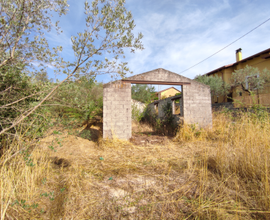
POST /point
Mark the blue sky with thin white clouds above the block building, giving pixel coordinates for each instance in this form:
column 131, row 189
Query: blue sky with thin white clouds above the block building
column 181, row 33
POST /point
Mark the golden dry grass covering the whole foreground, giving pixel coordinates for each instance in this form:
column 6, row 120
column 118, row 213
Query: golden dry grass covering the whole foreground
column 221, row 173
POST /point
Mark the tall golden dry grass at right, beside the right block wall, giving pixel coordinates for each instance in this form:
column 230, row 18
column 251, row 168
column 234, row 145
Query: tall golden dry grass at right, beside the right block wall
column 240, row 158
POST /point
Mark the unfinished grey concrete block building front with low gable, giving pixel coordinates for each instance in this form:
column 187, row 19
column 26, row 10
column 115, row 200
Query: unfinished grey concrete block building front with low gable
column 196, row 101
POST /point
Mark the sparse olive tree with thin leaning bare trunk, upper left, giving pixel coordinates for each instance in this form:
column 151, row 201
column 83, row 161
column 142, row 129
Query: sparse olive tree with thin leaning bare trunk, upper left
column 108, row 31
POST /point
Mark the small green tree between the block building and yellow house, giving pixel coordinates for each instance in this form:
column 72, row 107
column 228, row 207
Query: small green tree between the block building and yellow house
column 217, row 86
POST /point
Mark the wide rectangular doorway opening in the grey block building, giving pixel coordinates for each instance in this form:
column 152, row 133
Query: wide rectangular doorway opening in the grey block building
column 161, row 115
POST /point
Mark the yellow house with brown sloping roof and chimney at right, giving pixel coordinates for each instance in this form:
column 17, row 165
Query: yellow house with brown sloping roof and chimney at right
column 261, row 61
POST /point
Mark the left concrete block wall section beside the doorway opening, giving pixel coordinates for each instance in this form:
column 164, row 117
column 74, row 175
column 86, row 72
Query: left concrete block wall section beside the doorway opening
column 117, row 110
